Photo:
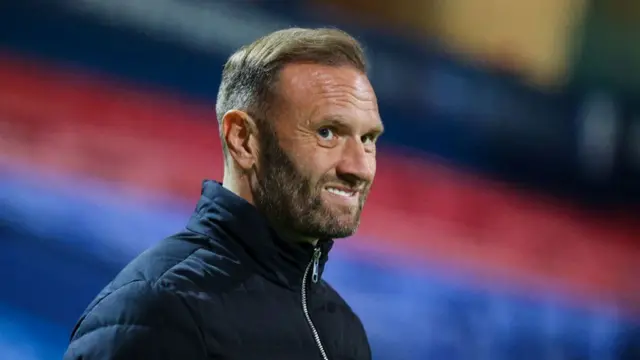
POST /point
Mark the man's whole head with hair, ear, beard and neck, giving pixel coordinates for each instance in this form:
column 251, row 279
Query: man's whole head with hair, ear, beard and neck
column 299, row 123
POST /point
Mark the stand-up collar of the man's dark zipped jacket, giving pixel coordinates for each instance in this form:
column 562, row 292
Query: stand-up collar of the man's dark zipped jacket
column 219, row 211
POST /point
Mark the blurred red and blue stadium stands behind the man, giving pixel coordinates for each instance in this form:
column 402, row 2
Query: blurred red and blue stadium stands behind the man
column 504, row 222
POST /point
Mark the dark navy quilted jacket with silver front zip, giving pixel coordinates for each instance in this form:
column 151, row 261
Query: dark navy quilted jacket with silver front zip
column 224, row 288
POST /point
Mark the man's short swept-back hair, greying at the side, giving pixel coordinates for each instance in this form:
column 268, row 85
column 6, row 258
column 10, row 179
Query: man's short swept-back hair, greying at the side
column 250, row 75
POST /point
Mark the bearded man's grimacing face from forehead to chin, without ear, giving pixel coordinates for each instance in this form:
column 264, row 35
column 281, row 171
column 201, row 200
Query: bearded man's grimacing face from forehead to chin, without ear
column 318, row 151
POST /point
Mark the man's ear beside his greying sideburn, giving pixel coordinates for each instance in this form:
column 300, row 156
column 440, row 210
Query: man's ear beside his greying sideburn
column 239, row 132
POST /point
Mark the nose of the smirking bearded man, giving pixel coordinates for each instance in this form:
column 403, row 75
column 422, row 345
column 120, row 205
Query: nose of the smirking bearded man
column 356, row 165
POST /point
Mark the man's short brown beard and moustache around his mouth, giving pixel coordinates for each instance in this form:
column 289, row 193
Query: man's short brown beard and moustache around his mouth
column 293, row 201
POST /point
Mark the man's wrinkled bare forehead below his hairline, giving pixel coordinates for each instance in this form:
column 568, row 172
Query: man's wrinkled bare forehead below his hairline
column 313, row 89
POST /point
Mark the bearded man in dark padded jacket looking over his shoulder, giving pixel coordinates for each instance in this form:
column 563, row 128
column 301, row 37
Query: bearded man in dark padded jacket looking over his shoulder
column 299, row 123
